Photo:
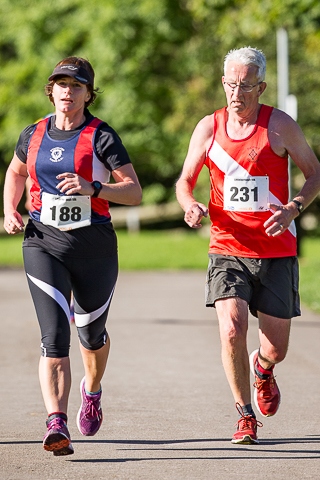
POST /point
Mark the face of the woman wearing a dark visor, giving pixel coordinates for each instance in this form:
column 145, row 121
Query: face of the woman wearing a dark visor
column 69, row 94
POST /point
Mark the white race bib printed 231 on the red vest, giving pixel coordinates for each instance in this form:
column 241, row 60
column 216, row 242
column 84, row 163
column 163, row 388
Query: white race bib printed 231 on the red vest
column 246, row 194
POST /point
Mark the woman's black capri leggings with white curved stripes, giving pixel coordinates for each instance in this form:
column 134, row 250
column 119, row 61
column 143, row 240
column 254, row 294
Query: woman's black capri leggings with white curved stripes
column 51, row 281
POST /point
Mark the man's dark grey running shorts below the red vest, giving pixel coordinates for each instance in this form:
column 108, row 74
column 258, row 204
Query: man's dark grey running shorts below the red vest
column 268, row 285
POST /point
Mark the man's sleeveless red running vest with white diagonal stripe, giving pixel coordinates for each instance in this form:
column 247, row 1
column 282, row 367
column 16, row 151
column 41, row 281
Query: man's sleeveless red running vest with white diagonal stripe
column 238, row 233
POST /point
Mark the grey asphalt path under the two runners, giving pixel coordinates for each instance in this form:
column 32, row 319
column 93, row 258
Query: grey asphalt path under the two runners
column 168, row 410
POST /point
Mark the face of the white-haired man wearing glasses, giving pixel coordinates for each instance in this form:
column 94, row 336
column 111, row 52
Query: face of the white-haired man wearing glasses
column 239, row 100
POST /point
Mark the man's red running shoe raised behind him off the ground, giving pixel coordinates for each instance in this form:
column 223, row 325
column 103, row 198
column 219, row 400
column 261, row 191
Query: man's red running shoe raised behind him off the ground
column 266, row 394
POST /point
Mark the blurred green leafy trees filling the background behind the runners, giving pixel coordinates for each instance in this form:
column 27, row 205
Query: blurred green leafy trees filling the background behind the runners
column 158, row 65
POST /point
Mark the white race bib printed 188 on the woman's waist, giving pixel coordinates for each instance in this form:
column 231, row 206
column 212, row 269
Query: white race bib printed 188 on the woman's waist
column 66, row 212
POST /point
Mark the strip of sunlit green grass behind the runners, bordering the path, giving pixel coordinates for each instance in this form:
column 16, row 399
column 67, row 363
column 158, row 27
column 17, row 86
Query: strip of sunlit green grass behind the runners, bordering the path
column 178, row 250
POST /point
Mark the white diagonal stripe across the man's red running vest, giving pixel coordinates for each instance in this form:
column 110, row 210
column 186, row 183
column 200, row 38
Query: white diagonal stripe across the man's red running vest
column 230, row 167
